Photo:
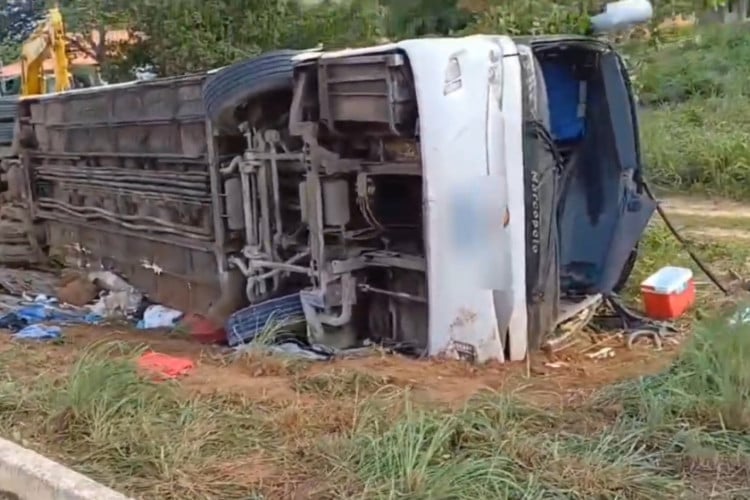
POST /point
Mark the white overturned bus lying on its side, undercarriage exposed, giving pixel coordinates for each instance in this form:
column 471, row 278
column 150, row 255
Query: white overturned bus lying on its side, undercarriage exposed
column 463, row 195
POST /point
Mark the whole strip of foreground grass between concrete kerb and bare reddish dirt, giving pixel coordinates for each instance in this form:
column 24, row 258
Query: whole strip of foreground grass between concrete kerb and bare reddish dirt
column 682, row 432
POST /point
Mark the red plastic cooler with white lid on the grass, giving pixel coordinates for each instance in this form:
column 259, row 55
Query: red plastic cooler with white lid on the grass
column 668, row 293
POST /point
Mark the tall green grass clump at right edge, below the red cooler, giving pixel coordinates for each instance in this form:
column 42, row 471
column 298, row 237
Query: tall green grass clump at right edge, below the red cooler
column 697, row 414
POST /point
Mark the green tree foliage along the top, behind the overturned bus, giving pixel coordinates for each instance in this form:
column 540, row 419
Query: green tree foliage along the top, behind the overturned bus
column 190, row 35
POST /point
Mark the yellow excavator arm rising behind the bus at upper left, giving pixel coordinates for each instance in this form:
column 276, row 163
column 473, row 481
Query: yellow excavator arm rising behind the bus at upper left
column 48, row 39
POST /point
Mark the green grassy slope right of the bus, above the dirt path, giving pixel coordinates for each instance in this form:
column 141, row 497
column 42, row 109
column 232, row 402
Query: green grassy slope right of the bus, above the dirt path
column 696, row 111
